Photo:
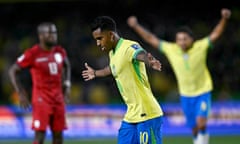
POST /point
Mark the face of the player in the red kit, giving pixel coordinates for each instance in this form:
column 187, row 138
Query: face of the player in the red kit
column 49, row 35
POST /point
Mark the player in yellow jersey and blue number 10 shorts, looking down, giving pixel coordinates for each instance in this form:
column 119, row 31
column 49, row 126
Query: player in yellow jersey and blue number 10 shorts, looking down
column 143, row 120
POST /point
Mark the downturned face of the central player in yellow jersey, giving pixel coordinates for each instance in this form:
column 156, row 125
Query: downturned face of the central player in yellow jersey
column 103, row 39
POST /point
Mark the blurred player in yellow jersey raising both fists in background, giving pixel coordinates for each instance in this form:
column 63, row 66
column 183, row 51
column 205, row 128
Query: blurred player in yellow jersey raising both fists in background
column 187, row 57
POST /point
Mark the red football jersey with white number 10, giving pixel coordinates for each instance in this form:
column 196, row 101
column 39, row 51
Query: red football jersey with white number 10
column 46, row 67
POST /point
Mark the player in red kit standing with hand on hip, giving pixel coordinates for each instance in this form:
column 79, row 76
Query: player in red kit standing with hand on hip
column 50, row 72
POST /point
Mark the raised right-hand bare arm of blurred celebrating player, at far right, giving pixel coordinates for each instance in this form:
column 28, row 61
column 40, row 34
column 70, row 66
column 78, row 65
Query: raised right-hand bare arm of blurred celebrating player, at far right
column 219, row 28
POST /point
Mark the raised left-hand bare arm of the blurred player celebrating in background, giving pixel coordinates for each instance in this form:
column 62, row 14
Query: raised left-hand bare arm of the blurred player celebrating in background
column 146, row 35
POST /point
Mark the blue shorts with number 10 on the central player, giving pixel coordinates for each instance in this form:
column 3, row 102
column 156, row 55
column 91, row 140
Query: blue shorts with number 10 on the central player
column 147, row 132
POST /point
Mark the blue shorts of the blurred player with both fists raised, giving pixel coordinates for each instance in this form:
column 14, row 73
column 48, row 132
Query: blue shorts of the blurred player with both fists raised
column 193, row 107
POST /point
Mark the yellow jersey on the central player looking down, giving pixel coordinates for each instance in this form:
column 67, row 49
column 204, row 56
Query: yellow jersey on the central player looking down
column 132, row 82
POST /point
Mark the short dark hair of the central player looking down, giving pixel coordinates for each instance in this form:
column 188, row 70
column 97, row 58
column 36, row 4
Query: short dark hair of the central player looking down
column 104, row 23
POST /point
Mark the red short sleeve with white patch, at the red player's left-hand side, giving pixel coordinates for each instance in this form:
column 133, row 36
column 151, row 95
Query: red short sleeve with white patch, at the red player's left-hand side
column 26, row 59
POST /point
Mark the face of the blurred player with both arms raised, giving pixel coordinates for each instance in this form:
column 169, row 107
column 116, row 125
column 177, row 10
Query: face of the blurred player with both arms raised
column 183, row 40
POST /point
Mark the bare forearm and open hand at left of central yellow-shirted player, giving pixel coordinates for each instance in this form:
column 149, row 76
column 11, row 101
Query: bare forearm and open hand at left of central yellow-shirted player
column 90, row 73
